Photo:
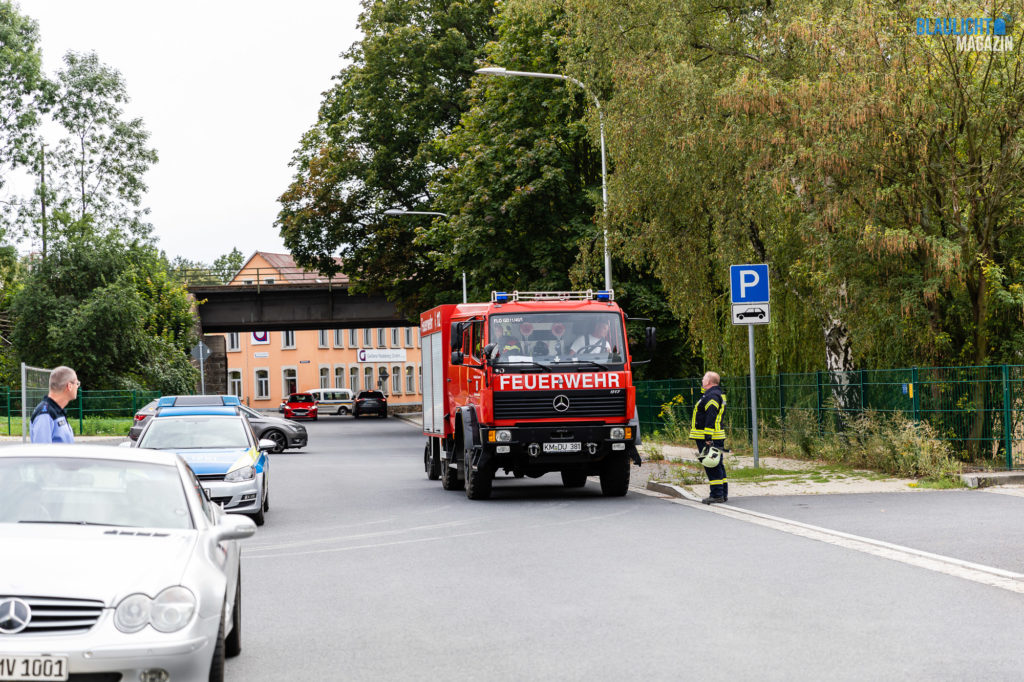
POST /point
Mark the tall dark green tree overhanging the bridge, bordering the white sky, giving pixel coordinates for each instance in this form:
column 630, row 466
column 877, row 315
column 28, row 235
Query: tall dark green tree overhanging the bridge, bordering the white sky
column 372, row 148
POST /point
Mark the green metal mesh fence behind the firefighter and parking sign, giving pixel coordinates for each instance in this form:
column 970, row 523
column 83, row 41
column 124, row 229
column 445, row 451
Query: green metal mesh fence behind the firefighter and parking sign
column 978, row 410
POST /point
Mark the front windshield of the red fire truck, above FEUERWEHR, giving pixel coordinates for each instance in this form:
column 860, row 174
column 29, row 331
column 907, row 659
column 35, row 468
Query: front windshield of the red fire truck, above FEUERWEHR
column 592, row 339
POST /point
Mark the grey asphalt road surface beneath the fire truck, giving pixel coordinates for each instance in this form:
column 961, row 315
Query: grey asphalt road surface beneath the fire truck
column 367, row 571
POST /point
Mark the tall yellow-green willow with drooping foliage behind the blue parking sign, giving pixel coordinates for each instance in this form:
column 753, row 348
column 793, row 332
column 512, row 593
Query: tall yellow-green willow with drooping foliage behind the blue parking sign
column 878, row 172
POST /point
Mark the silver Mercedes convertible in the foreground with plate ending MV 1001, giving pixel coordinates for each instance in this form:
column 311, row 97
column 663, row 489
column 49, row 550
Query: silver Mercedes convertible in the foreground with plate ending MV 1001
column 115, row 566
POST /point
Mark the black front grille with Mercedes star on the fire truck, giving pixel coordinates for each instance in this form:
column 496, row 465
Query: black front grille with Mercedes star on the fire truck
column 548, row 405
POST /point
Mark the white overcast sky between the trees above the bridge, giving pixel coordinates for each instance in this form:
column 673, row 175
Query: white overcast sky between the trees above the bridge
column 226, row 89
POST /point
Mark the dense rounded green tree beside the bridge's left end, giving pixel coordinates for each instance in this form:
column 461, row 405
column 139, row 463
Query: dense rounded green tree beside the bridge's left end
column 105, row 306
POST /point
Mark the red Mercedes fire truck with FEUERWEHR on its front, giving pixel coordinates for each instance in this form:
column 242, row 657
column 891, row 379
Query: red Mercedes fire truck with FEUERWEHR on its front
column 530, row 383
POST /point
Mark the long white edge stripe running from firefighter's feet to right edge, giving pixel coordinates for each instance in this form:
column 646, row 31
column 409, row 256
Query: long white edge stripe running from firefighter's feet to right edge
column 991, row 576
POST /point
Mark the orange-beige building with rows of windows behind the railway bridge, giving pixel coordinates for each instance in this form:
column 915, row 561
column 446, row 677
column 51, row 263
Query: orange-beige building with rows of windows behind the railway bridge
column 265, row 367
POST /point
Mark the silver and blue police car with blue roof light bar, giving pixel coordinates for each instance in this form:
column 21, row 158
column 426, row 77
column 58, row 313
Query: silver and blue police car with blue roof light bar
column 218, row 442
